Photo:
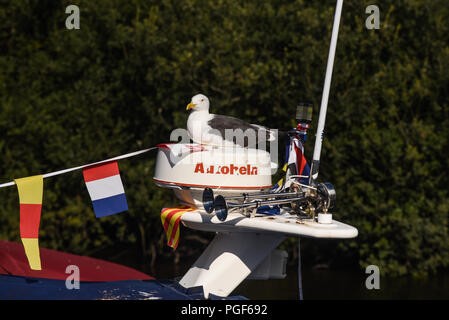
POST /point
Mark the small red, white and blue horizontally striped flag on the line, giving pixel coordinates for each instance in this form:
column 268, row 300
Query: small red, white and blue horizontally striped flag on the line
column 105, row 189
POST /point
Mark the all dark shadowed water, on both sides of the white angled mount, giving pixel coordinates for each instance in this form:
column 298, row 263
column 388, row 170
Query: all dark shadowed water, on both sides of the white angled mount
column 318, row 284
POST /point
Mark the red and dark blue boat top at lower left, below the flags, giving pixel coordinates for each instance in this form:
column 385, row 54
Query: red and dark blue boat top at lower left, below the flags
column 99, row 279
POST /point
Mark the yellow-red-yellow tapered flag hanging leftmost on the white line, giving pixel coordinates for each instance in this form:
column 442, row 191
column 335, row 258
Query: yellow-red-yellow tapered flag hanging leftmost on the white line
column 30, row 198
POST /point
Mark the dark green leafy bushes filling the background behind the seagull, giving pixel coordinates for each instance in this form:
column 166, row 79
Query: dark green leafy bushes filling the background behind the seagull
column 121, row 83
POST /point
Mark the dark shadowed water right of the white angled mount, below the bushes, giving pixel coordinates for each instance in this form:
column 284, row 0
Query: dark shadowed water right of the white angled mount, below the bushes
column 326, row 284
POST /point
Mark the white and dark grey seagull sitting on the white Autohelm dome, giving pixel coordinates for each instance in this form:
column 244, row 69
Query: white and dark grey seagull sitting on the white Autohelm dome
column 219, row 130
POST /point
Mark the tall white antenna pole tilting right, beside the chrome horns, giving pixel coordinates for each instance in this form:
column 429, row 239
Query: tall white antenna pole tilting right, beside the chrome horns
column 324, row 99
